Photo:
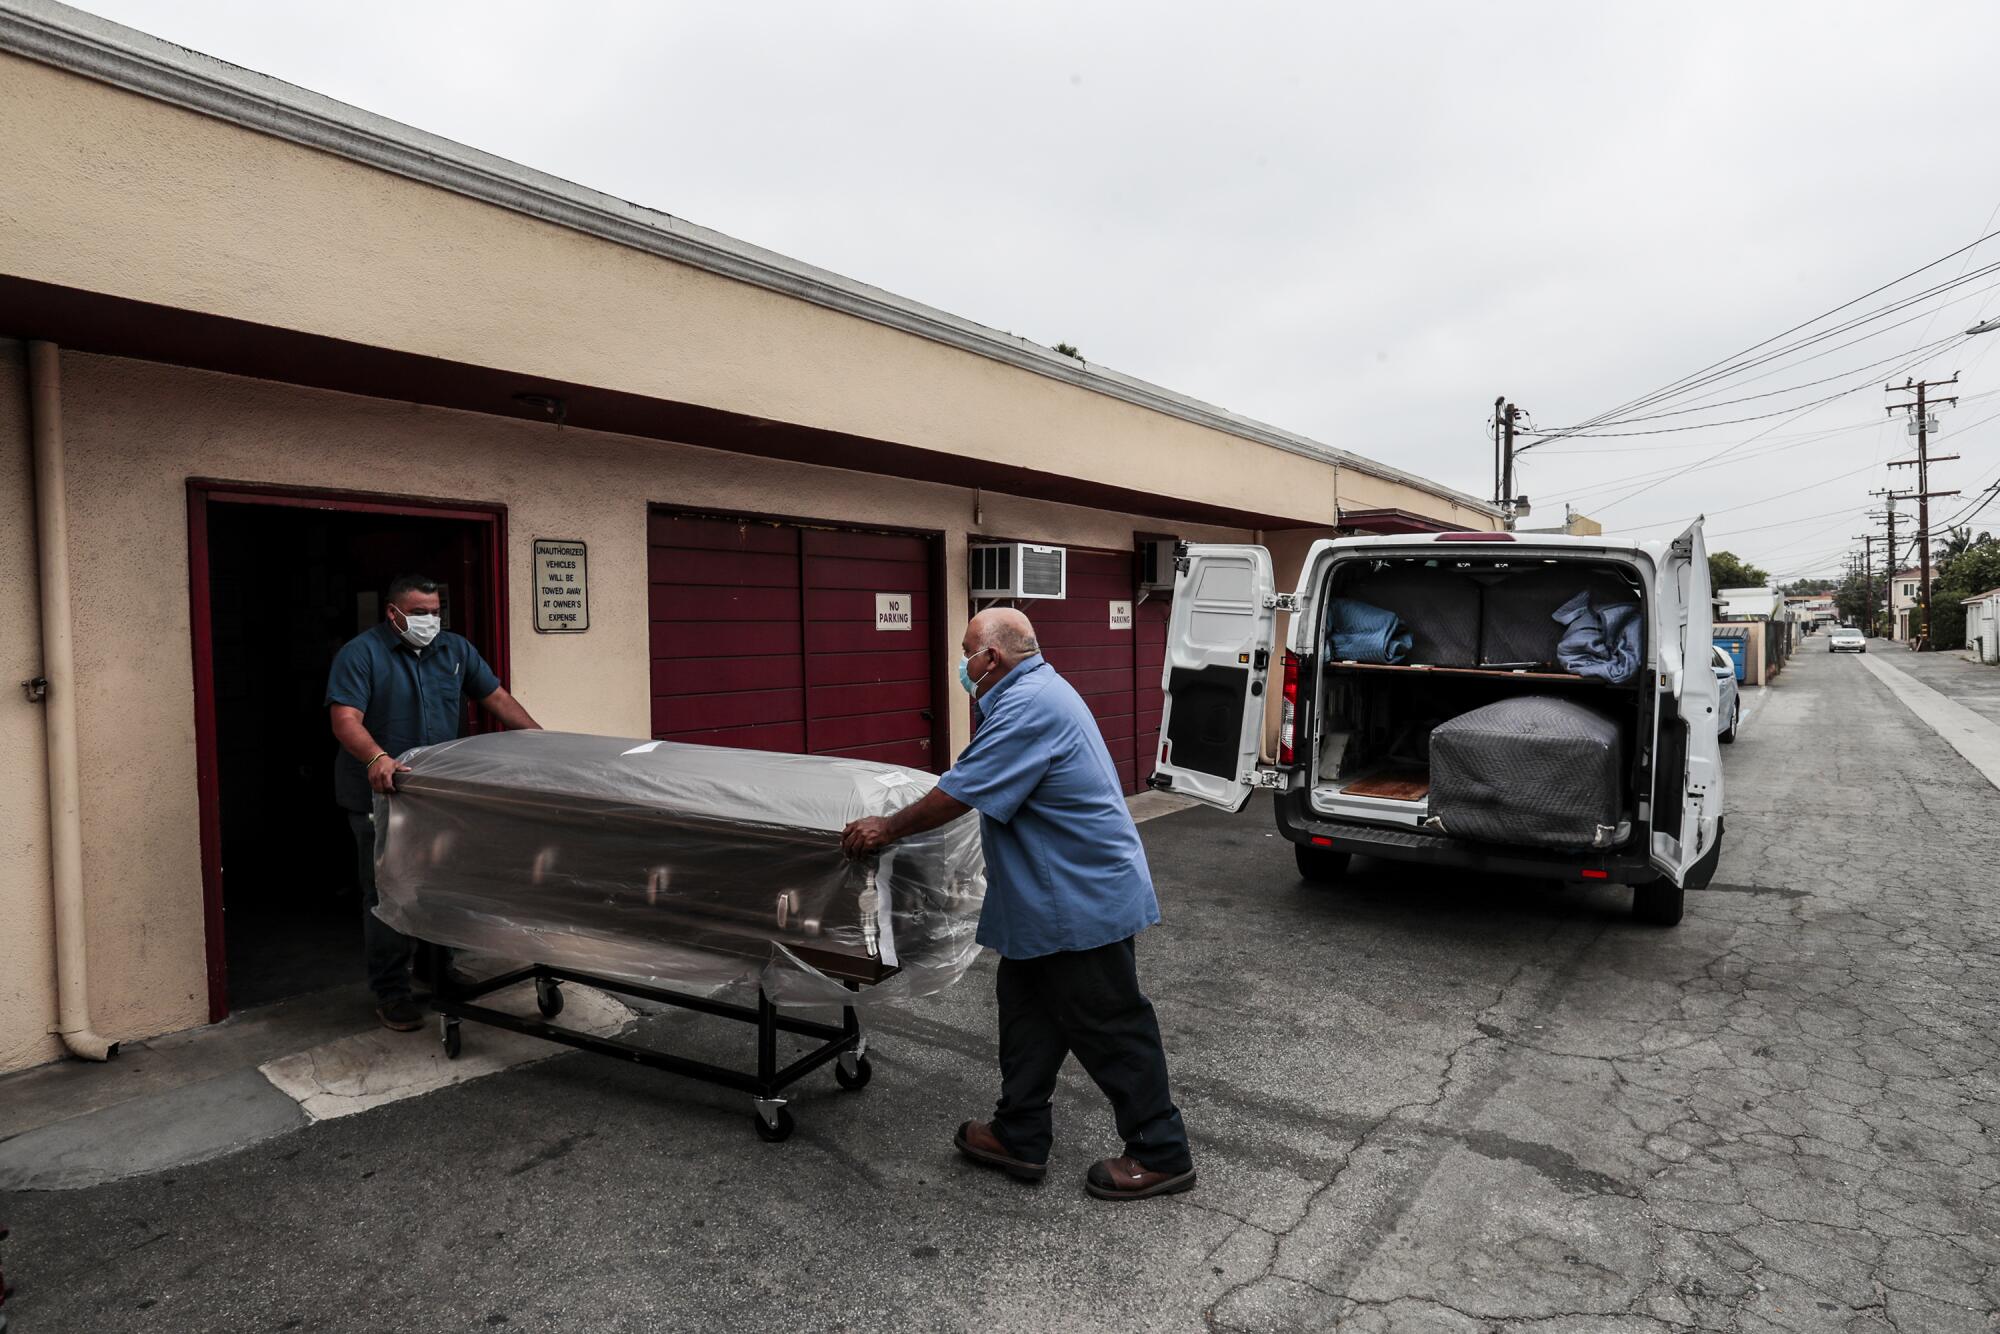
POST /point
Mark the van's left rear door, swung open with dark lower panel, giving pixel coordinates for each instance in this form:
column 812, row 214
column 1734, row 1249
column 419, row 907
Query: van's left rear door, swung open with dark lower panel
column 1217, row 663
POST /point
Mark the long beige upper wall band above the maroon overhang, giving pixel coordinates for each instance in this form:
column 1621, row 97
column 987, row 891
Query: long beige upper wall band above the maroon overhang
column 115, row 193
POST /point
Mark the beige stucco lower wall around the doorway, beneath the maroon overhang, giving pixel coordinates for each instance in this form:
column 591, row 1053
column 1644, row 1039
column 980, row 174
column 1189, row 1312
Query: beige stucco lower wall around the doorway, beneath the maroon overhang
column 137, row 433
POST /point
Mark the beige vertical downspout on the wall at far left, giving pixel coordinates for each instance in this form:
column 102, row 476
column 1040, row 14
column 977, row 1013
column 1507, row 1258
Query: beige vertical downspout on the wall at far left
column 59, row 667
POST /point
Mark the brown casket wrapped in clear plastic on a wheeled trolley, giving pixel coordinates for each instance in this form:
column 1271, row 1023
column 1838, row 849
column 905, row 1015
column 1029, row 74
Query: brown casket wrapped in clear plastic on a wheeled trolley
column 677, row 867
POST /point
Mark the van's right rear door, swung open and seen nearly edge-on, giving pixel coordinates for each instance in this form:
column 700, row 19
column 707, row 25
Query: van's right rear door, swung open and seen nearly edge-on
column 1687, row 749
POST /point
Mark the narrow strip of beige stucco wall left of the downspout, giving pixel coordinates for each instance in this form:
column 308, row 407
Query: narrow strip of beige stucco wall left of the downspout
column 27, row 941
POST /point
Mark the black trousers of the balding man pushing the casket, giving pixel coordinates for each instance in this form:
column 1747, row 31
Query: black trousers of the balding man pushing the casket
column 1085, row 1003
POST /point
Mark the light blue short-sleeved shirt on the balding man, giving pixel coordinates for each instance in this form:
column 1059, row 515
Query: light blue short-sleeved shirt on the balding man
column 1065, row 867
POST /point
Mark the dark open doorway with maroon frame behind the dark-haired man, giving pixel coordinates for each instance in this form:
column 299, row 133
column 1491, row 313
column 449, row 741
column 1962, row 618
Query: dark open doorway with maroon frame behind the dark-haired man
column 281, row 583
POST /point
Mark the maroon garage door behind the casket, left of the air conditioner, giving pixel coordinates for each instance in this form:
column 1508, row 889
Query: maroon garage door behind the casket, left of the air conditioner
column 765, row 637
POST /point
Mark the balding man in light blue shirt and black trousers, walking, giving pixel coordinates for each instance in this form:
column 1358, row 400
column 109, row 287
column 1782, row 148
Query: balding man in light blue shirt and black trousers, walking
column 1067, row 891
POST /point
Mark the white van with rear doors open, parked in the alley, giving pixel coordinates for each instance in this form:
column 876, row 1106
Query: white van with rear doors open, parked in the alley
column 1353, row 767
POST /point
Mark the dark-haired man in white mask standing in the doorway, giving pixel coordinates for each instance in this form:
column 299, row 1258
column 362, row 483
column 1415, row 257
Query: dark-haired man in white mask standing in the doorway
column 397, row 687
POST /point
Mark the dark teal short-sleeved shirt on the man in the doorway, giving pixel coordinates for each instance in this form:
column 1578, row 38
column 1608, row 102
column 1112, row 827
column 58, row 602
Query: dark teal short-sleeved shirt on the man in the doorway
column 407, row 697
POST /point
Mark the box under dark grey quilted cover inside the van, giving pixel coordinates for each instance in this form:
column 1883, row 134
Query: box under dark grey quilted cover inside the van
column 1529, row 771
